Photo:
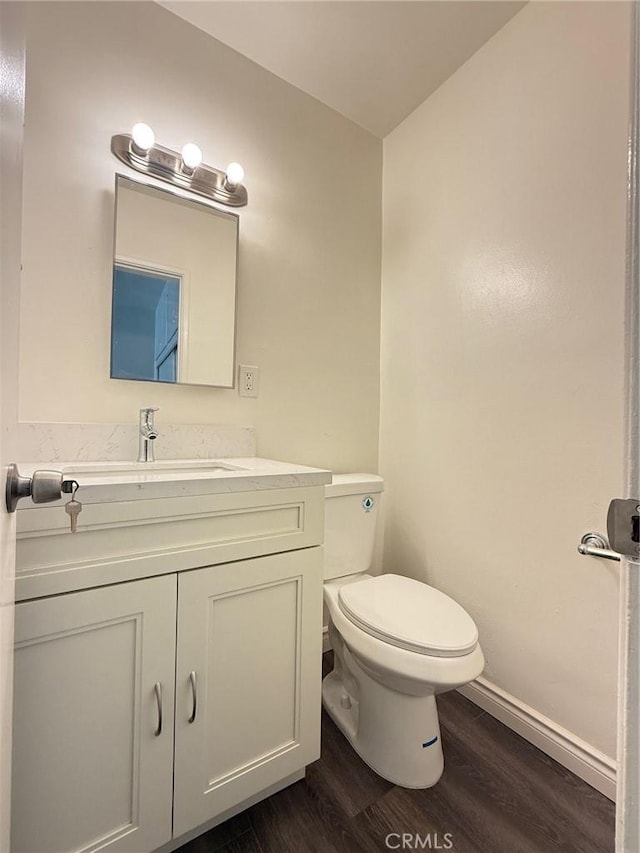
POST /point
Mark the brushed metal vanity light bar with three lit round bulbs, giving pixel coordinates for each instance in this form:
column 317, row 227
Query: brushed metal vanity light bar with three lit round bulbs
column 185, row 170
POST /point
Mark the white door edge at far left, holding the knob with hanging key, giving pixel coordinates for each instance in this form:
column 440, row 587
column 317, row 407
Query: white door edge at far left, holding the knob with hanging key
column 11, row 129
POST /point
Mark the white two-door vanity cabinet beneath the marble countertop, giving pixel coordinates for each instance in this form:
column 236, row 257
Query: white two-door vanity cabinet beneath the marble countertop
column 234, row 647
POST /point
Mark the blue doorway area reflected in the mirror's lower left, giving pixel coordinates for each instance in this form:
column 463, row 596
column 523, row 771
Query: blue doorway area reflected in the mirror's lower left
column 144, row 324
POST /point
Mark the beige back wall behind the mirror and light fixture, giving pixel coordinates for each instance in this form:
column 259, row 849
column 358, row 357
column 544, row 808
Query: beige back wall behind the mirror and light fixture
column 309, row 265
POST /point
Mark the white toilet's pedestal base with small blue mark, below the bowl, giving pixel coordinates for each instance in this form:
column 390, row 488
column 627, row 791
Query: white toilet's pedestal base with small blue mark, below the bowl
column 397, row 735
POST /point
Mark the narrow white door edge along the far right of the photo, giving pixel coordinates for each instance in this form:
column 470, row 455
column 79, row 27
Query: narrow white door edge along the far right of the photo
column 628, row 779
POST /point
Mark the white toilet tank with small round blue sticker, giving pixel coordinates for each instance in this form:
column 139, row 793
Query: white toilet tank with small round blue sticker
column 351, row 511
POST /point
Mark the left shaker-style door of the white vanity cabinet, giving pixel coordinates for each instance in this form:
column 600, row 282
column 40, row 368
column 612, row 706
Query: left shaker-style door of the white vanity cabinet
column 90, row 771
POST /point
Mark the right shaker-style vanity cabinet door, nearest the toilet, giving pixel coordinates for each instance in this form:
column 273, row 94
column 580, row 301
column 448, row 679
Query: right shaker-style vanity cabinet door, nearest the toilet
column 247, row 680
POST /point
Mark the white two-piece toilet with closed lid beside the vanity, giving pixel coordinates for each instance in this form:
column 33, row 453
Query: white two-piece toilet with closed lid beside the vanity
column 397, row 642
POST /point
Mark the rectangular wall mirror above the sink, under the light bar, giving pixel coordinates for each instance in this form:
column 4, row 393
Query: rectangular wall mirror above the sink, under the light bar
column 174, row 288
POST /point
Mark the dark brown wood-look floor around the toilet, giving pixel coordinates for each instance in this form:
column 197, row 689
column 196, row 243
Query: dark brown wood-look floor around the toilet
column 498, row 794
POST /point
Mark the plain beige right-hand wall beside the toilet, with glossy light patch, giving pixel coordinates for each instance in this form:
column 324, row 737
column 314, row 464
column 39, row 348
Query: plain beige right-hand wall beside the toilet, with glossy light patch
column 502, row 350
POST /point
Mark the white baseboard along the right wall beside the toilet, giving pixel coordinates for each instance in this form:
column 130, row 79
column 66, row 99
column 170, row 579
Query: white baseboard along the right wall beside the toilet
column 591, row 765
